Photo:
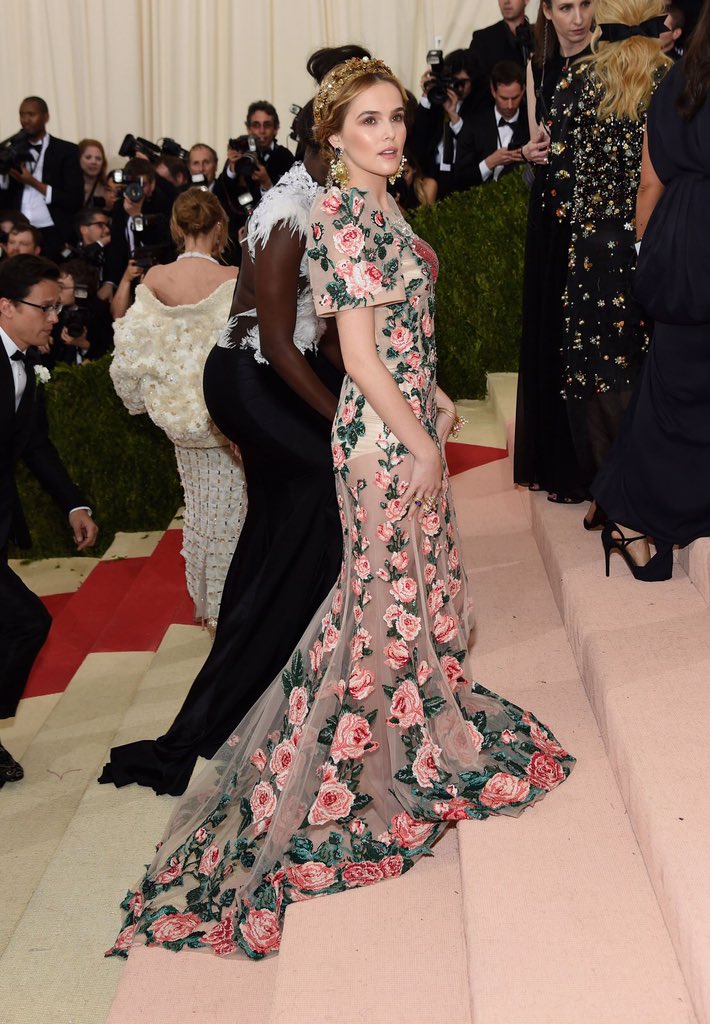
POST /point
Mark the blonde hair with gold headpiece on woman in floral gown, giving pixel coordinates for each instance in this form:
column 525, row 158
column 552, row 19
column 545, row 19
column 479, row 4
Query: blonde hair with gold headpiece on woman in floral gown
column 340, row 89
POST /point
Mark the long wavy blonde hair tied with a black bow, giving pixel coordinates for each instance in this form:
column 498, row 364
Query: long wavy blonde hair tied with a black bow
column 627, row 71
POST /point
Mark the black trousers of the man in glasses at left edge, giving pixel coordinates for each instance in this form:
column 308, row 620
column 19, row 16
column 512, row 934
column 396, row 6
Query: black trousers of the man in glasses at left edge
column 24, row 627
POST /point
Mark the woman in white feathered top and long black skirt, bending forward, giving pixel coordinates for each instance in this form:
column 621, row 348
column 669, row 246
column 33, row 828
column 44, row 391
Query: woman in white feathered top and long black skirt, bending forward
column 271, row 389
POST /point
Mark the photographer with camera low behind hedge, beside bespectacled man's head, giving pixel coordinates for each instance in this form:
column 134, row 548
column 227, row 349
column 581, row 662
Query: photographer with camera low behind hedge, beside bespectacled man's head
column 85, row 330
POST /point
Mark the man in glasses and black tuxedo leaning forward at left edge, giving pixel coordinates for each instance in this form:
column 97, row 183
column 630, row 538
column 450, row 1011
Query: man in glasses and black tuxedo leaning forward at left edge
column 29, row 308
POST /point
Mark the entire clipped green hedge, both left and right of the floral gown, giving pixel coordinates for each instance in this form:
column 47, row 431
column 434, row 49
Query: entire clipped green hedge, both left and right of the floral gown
column 127, row 467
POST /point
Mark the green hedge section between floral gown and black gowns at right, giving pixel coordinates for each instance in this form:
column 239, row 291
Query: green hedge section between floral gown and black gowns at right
column 480, row 239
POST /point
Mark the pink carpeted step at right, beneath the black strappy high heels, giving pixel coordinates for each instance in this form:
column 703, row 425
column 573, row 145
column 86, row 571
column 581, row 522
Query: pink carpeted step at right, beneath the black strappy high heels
column 644, row 653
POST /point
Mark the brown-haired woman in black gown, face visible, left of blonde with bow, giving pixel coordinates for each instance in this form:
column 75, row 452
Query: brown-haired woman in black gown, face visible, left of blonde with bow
column 546, row 457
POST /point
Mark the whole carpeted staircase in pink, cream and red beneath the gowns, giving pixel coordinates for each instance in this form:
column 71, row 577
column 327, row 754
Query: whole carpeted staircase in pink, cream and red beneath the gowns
column 592, row 909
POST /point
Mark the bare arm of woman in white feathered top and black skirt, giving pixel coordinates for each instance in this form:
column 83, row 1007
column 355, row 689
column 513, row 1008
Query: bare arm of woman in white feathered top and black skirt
column 277, row 271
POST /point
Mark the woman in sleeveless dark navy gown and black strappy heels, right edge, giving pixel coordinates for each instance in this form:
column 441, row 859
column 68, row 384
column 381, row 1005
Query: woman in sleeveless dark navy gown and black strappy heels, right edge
column 657, row 480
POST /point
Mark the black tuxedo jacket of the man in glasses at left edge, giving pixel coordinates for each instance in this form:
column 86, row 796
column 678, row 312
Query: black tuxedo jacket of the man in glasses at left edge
column 25, row 437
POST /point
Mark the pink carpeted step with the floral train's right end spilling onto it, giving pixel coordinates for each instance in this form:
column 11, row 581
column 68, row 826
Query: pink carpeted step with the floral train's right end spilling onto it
column 562, row 921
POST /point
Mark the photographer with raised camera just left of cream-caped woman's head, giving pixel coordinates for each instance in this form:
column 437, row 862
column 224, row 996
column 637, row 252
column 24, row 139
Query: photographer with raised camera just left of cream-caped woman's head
column 141, row 221
